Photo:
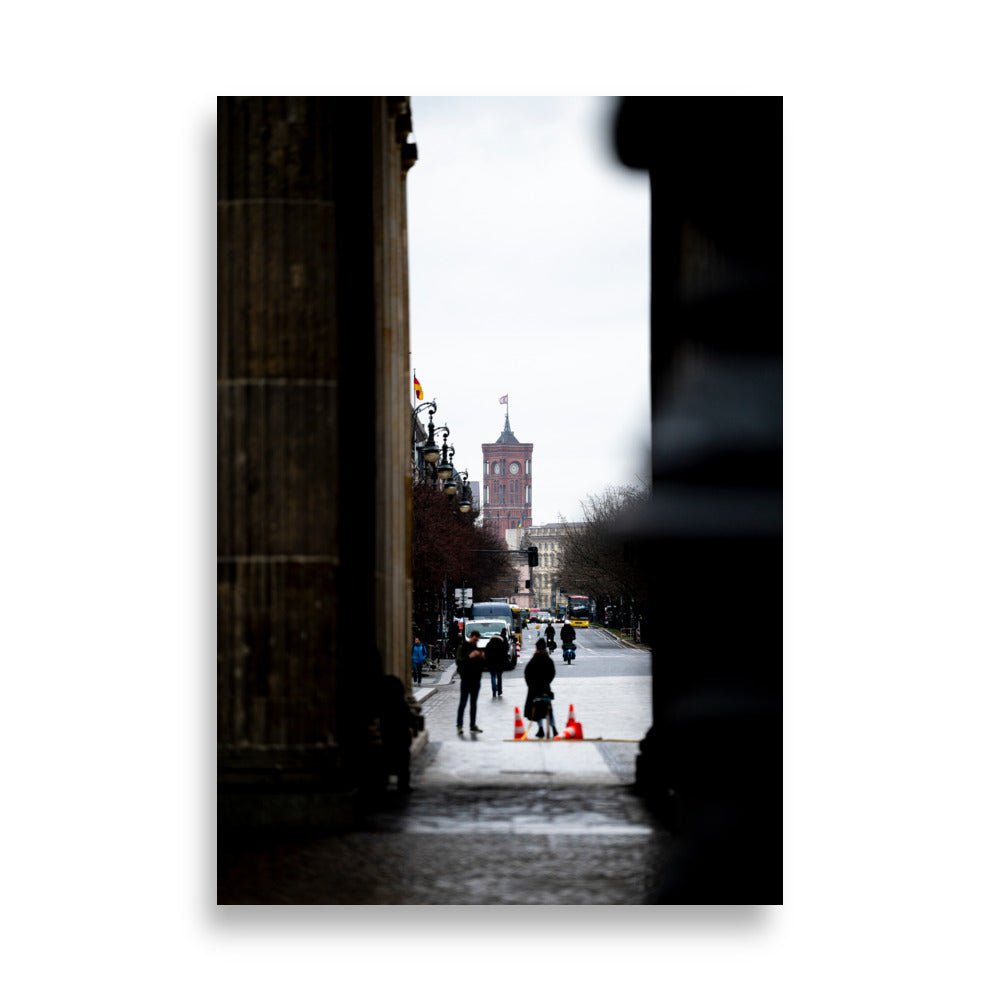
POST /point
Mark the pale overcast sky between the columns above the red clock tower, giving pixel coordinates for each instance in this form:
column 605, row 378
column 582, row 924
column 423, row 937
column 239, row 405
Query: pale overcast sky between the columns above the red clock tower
column 529, row 277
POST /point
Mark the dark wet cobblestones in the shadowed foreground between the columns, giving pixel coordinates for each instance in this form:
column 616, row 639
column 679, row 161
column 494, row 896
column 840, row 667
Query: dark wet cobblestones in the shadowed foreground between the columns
column 468, row 847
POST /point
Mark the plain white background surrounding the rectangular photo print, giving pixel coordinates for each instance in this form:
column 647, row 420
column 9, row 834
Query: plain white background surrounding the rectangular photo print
column 891, row 501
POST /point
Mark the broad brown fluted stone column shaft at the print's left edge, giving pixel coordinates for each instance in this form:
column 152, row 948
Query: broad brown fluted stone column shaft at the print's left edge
column 278, row 449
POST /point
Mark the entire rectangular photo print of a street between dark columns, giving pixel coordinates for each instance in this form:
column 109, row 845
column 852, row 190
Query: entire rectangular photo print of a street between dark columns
column 371, row 485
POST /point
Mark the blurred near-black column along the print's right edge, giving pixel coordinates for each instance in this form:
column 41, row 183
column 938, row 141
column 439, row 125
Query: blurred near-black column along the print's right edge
column 711, row 538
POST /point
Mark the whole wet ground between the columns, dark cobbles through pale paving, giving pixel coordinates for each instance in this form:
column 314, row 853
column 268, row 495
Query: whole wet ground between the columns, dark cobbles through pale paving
column 490, row 820
